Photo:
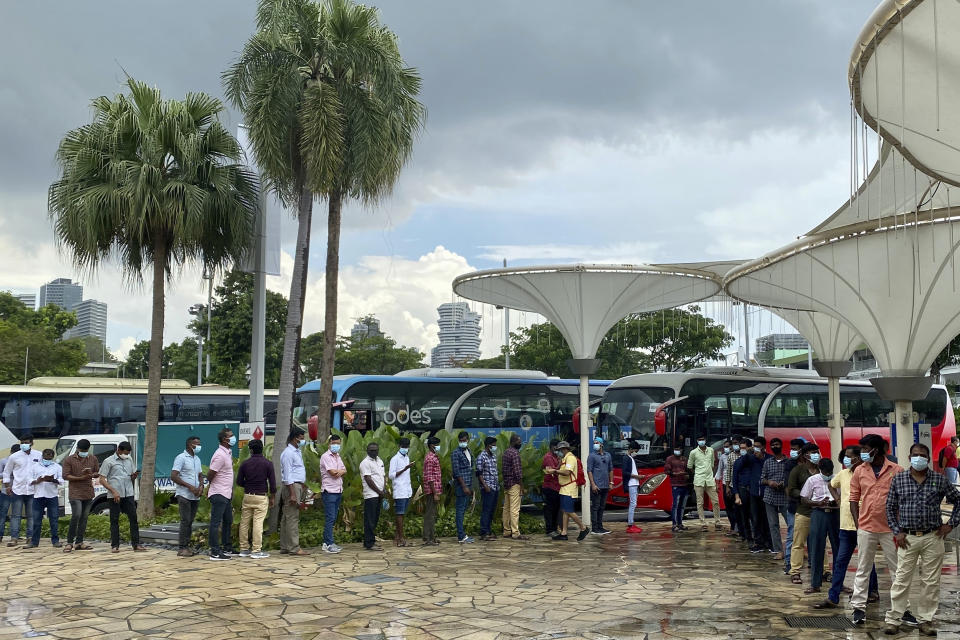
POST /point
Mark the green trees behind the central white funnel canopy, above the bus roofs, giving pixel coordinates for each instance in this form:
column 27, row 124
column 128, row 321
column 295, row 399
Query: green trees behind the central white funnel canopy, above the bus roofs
column 672, row 340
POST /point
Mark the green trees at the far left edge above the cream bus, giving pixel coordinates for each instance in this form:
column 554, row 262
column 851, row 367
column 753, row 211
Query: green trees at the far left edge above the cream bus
column 31, row 342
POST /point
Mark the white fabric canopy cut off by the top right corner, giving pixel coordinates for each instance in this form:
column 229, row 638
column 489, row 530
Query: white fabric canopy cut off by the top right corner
column 905, row 80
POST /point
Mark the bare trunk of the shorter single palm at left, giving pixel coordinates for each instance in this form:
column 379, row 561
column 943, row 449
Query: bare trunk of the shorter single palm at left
column 155, row 373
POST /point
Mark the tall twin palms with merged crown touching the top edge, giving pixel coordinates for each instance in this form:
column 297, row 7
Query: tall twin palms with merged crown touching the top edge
column 332, row 113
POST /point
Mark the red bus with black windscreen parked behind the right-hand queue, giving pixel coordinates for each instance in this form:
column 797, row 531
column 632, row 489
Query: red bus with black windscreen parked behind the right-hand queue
column 719, row 402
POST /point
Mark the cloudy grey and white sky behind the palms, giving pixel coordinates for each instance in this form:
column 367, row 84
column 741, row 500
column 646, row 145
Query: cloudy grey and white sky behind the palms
column 558, row 131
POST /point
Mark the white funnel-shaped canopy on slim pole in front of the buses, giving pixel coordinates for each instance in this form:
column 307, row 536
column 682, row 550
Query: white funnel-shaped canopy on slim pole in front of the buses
column 584, row 301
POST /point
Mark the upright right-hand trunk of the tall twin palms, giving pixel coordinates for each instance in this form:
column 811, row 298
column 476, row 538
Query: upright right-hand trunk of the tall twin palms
column 330, row 313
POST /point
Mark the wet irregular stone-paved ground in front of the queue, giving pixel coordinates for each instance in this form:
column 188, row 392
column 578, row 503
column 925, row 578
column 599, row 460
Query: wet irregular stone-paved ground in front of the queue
column 652, row 585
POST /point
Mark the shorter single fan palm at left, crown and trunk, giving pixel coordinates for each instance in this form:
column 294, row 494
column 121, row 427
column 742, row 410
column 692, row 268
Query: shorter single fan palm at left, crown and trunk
column 155, row 184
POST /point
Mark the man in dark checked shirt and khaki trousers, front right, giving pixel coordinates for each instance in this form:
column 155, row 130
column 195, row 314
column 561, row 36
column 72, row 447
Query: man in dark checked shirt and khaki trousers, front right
column 913, row 514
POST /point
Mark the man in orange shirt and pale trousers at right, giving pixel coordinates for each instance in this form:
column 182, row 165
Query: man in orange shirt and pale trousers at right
column 868, row 506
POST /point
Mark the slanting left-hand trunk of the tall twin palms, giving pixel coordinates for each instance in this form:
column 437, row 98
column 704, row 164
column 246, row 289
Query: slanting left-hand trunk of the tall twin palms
column 290, row 362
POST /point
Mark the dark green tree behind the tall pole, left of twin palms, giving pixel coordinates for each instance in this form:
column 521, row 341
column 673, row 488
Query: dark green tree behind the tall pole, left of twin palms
column 231, row 332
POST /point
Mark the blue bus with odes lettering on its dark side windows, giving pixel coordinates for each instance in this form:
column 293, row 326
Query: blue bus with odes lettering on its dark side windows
column 479, row 401
